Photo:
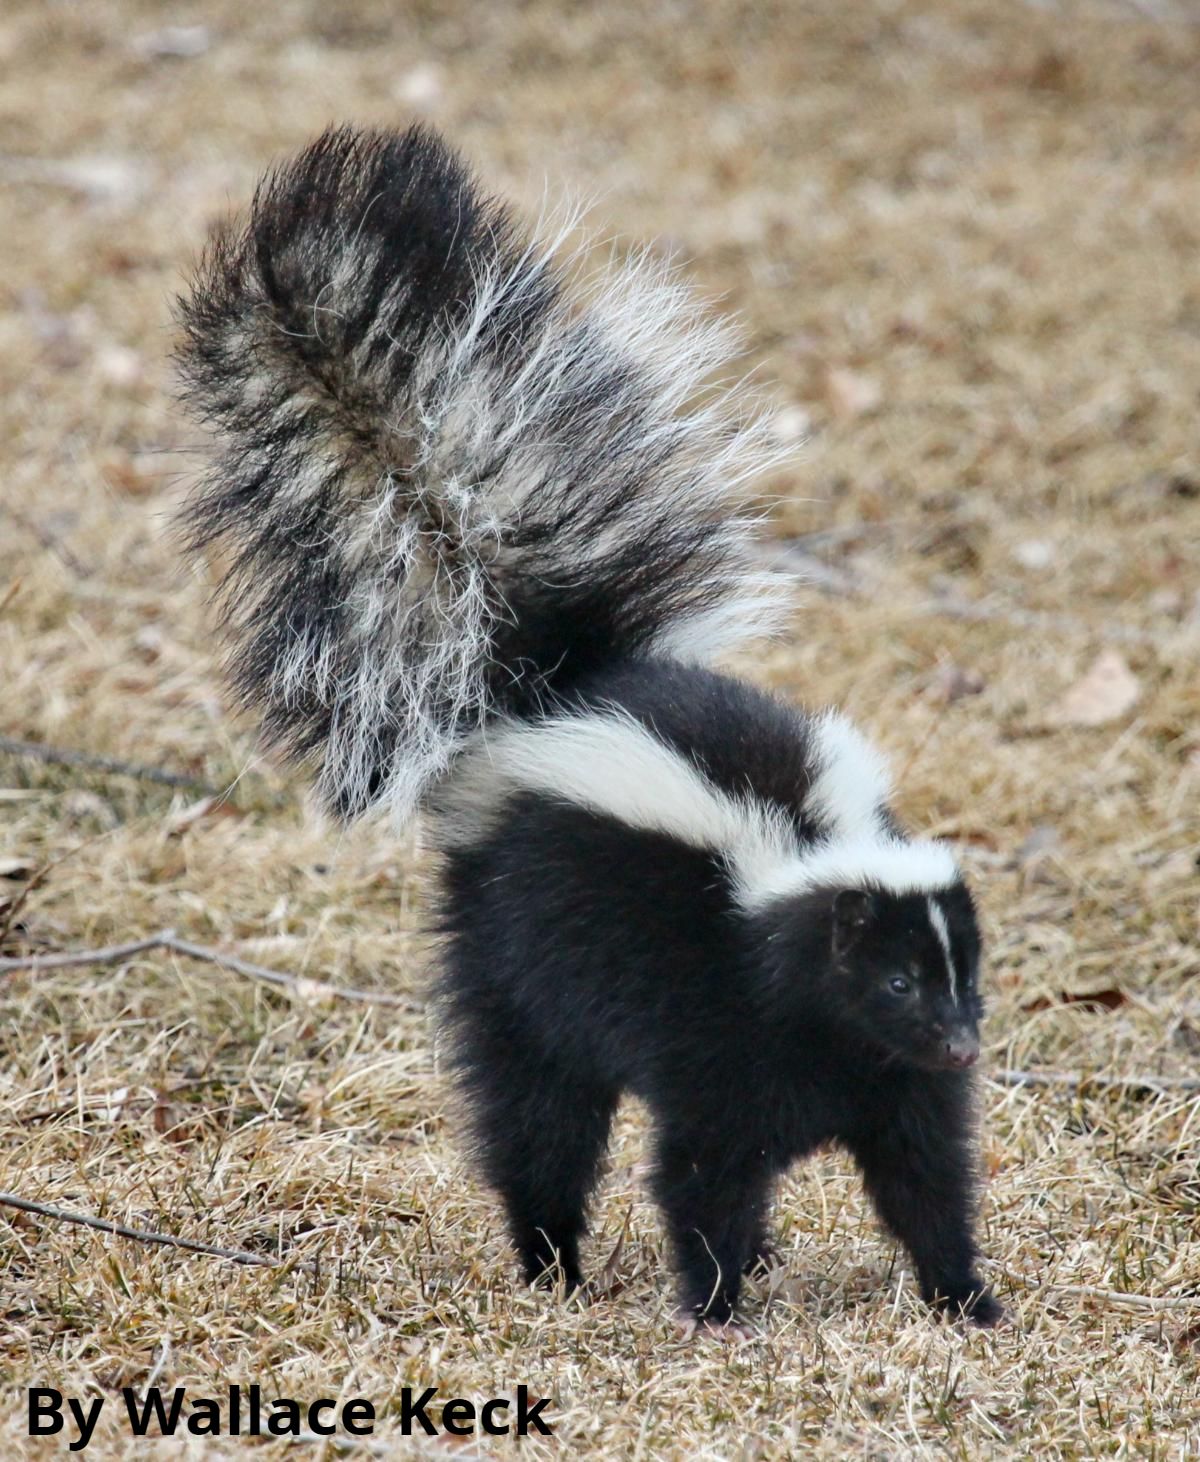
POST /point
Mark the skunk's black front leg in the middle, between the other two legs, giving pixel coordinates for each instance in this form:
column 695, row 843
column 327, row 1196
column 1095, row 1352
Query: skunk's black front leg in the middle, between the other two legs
column 714, row 1201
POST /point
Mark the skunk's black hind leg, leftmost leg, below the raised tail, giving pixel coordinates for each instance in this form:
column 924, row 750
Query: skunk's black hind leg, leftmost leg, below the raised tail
column 542, row 1134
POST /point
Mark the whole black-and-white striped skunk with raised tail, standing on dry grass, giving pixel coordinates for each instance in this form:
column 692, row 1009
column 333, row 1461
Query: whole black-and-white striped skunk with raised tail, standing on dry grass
column 482, row 539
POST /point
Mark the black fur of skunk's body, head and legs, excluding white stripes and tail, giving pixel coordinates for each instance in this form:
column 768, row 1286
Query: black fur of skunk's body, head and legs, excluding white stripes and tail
column 587, row 960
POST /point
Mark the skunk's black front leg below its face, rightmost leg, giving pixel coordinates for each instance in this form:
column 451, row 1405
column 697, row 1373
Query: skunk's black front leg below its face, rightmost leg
column 920, row 1170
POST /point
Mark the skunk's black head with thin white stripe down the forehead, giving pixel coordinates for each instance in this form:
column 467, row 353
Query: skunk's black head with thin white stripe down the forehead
column 905, row 973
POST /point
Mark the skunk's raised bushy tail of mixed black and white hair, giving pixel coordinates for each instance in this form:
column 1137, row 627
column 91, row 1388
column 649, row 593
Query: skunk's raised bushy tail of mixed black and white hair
column 444, row 488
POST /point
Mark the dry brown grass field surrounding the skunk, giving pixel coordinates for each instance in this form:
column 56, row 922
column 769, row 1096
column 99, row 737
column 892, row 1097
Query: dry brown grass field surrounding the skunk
column 964, row 238
